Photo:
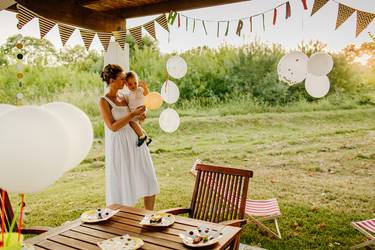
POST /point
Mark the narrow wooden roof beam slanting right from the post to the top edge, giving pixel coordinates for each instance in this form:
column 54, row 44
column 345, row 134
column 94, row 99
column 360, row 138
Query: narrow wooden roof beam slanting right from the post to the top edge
column 167, row 6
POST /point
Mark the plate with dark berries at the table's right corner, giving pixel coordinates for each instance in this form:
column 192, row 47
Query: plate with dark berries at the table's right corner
column 212, row 236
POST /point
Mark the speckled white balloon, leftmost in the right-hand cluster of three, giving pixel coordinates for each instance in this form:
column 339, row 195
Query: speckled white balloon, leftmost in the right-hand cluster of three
column 292, row 67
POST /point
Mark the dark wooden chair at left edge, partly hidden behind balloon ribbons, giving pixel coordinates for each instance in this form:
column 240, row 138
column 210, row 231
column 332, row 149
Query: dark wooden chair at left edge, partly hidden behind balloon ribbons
column 9, row 215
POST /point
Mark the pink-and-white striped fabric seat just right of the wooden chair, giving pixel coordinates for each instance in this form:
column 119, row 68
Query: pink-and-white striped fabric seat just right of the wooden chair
column 262, row 207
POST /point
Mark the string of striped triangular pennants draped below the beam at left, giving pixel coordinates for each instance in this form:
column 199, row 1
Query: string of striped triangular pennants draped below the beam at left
column 25, row 15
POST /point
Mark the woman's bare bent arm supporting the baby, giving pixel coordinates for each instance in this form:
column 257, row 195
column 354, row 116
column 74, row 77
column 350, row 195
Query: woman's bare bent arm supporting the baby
column 108, row 118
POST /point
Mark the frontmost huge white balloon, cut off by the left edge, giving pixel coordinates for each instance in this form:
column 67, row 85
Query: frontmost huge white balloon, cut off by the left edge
column 34, row 149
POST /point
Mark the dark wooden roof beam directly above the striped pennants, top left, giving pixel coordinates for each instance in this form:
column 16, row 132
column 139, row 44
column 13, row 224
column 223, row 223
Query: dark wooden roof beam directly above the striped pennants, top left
column 71, row 12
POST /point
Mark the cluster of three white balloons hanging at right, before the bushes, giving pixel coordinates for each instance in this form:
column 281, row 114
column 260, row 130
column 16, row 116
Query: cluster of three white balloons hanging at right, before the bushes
column 296, row 67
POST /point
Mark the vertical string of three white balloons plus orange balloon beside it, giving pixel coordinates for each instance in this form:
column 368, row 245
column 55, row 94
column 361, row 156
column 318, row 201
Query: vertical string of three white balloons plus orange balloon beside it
column 169, row 119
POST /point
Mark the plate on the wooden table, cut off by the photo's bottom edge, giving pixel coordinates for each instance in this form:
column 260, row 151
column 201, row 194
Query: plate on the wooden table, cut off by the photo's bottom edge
column 121, row 243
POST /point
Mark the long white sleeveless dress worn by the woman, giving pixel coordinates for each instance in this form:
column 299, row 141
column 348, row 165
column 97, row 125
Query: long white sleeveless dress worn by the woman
column 129, row 171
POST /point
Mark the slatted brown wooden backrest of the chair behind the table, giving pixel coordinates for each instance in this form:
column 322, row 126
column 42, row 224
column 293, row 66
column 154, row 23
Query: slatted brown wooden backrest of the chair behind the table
column 220, row 193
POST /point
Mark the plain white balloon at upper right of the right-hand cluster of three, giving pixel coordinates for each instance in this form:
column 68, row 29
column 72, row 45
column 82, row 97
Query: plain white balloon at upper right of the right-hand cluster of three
column 320, row 64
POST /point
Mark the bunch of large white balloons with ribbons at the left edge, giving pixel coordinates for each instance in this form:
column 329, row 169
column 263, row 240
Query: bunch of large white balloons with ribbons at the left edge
column 39, row 144
